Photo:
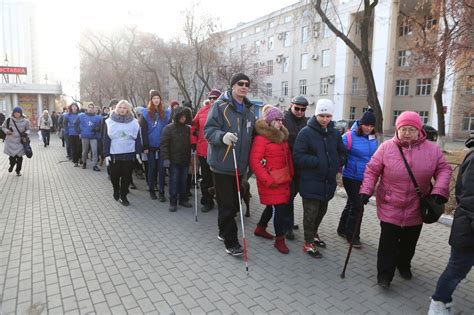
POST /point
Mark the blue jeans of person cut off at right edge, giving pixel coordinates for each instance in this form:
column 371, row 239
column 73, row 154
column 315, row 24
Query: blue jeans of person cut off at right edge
column 459, row 265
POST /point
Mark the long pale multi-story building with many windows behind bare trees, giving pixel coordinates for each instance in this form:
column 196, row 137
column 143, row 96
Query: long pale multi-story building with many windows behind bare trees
column 298, row 55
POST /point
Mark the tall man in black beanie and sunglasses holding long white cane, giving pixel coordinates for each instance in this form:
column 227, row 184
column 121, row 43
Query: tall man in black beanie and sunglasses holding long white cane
column 230, row 122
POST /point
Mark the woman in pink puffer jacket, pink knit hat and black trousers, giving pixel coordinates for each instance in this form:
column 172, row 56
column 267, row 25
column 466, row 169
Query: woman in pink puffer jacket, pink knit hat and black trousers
column 398, row 206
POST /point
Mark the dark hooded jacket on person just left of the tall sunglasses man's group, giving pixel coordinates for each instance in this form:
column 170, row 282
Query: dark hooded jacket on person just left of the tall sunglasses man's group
column 175, row 140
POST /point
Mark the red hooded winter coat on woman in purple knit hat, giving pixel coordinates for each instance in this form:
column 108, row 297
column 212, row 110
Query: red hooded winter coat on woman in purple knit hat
column 270, row 150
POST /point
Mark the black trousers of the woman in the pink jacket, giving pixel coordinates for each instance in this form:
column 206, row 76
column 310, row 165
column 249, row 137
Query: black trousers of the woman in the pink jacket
column 396, row 248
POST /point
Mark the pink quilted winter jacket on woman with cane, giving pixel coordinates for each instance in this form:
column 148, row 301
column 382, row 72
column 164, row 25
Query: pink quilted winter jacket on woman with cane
column 397, row 200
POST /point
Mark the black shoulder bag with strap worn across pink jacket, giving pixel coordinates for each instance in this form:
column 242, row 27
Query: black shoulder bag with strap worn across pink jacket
column 430, row 209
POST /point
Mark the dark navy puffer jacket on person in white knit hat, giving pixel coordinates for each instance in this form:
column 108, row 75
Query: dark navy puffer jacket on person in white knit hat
column 318, row 152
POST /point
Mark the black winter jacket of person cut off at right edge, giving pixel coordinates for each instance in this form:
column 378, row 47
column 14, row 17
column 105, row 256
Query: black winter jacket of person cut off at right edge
column 462, row 230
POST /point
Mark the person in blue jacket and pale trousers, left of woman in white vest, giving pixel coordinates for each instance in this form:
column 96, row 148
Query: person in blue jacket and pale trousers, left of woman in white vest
column 88, row 125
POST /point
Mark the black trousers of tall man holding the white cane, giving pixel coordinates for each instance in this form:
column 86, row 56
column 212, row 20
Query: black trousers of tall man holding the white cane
column 228, row 206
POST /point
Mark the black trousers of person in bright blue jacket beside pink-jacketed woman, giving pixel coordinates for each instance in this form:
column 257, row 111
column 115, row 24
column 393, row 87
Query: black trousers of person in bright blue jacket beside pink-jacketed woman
column 352, row 210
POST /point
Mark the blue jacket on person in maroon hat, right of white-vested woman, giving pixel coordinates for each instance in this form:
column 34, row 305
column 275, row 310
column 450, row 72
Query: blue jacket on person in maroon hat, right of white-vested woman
column 151, row 129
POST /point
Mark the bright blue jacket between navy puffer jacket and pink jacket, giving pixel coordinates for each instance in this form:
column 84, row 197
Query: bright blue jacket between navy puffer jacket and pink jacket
column 361, row 150
